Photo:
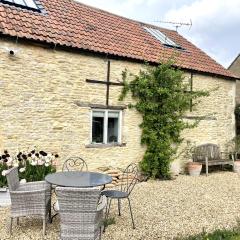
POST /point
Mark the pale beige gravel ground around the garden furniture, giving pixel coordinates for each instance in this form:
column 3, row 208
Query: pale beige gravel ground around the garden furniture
column 162, row 210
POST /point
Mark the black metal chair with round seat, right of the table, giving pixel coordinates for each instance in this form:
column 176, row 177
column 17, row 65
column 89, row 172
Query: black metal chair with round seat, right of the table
column 128, row 180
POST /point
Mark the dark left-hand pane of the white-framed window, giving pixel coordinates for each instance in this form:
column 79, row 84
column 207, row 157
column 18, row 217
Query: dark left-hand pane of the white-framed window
column 97, row 129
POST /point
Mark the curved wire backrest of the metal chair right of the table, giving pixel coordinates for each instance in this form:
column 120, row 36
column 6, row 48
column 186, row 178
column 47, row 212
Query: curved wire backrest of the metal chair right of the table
column 129, row 178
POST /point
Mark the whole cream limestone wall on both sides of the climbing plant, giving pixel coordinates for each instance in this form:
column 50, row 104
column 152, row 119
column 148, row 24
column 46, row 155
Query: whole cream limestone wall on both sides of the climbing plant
column 42, row 92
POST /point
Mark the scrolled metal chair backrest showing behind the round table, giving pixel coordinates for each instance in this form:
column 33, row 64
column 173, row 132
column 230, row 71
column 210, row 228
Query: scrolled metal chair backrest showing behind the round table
column 75, row 164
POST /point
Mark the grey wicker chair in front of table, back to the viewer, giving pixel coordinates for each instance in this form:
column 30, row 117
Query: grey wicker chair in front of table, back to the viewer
column 80, row 212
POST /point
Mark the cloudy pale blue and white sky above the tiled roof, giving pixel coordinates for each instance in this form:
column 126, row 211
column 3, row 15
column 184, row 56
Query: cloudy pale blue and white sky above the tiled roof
column 215, row 23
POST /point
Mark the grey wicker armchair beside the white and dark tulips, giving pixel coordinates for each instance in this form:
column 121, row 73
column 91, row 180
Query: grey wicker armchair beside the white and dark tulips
column 28, row 199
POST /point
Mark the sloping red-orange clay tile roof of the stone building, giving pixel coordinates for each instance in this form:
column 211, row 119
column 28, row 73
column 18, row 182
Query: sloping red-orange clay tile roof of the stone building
column 73, row 24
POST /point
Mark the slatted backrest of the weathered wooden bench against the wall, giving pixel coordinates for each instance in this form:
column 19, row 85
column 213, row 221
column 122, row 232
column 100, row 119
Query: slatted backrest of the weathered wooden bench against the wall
column 212, row 151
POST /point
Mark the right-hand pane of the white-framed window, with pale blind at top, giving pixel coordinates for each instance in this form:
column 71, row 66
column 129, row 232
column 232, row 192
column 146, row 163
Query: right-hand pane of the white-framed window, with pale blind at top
column 113, row 118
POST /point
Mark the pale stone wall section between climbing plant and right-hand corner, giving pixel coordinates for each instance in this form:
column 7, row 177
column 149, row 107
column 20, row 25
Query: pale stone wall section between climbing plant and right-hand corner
column 214, row 113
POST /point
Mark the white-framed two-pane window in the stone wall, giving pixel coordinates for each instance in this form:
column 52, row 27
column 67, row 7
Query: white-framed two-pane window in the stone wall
column 106, row 126
